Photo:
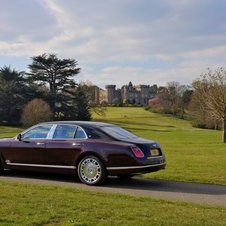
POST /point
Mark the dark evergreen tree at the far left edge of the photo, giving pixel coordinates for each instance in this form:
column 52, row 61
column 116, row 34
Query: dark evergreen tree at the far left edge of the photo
column 13, row 94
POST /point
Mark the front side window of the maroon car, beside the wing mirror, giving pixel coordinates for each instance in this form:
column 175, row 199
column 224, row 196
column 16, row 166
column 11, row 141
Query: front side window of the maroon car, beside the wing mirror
column 37, row 132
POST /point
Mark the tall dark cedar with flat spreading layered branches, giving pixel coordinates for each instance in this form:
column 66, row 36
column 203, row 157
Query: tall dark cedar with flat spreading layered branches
column 57, row 74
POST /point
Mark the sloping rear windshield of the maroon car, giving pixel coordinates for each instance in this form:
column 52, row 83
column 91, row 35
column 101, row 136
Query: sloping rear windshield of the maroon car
column 118, row 132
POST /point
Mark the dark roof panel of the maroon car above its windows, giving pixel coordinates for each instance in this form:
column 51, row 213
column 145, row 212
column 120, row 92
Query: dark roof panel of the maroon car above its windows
column 81, row 123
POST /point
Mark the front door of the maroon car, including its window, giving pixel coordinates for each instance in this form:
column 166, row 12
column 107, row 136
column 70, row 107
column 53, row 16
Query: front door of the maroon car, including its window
column 30, row 149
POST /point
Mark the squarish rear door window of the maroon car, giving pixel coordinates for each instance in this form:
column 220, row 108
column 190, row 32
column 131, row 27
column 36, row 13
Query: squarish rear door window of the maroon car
column 65, row 132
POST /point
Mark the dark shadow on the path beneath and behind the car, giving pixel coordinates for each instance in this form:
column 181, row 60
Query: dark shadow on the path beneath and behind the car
column 135, row 183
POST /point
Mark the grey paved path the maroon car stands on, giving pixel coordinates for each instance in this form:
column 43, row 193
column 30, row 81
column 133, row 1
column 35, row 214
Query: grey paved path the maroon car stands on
column 167, row 190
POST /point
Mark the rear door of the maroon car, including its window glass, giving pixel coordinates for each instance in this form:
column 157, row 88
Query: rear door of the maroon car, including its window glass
column 65, row 145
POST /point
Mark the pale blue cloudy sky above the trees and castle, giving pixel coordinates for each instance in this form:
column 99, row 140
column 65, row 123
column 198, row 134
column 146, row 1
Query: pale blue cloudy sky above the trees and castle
column 117, row 41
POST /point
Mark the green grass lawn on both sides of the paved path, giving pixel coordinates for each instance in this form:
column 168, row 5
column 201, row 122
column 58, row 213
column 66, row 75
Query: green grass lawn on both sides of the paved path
column 192, row 155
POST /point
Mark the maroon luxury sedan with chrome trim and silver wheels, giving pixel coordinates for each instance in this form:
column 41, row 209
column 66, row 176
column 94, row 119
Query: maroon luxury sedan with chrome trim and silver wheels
column 91, row 150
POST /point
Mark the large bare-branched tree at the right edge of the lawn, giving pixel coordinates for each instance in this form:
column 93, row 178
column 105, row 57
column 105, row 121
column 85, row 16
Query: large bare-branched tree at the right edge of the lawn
column 210, row 91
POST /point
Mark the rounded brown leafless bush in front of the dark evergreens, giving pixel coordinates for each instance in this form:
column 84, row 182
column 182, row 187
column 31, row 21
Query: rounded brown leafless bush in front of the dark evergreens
column 36, row 111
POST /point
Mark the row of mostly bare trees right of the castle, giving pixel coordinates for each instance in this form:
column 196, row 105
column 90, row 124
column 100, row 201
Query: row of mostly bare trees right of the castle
column 204, row 102
